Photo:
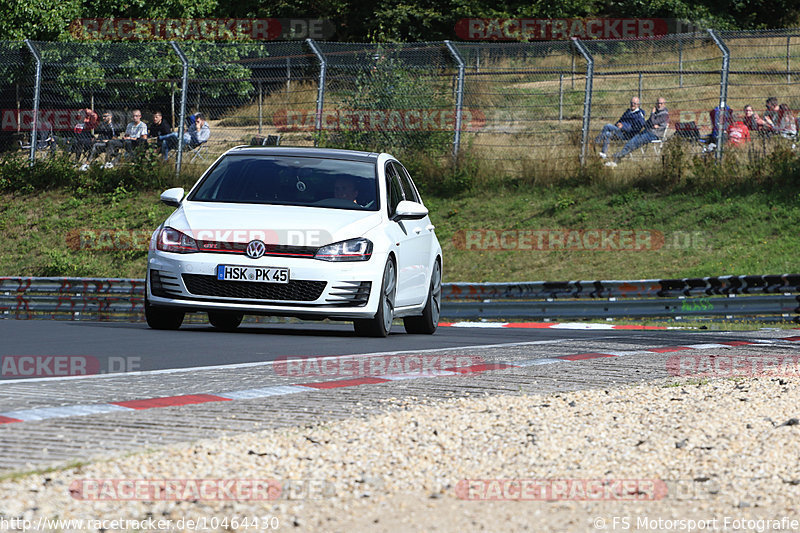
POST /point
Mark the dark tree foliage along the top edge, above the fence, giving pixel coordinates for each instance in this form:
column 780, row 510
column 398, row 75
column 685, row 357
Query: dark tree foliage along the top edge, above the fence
column 390, row 20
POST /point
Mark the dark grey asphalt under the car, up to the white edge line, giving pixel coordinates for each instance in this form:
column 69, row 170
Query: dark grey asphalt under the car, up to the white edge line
column 200, row 345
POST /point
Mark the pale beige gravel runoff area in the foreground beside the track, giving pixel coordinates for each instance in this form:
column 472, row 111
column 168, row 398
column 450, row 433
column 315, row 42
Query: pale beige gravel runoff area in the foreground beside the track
column 718, row 455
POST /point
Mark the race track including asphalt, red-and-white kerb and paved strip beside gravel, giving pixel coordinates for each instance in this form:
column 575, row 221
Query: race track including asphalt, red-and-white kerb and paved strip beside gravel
column 148, row 388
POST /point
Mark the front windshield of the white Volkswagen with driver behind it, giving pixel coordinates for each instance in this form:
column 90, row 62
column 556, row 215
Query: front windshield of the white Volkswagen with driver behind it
column 290, row 180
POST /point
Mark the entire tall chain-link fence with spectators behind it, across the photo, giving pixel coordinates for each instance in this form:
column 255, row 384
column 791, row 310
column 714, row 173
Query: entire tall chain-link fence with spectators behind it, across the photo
column 519, row 108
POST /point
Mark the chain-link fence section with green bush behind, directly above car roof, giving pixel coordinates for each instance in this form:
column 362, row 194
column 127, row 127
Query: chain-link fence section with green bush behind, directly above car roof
column 401, row 96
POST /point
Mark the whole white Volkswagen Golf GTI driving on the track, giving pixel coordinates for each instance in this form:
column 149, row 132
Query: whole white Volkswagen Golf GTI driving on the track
column 304, row 232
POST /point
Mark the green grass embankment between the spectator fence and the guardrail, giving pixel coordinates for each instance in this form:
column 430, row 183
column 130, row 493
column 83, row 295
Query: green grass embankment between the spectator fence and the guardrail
column 711, row 233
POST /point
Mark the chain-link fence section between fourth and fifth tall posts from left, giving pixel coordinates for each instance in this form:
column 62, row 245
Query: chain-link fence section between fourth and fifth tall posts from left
column 532, row 98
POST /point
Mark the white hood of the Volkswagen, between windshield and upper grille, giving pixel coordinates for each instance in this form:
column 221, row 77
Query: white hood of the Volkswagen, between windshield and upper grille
column 273, row 224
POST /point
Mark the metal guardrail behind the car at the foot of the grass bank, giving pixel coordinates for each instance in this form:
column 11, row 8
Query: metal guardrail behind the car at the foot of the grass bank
column 726, row 296
